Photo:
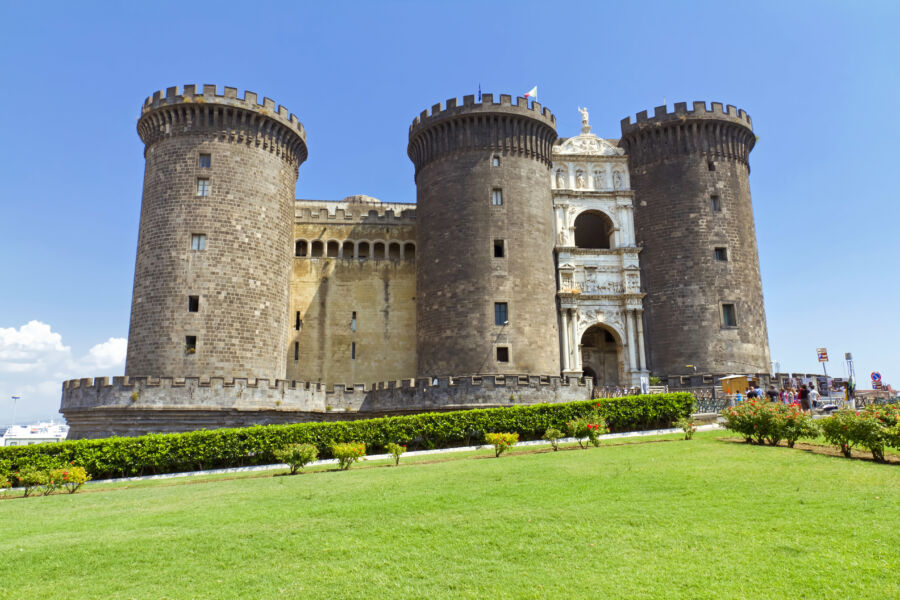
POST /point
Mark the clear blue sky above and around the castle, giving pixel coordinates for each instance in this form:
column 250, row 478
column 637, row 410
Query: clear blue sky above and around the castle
column 818, row 78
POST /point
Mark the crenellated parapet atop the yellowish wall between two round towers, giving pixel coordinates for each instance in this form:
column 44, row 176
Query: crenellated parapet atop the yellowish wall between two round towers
column 354, row 210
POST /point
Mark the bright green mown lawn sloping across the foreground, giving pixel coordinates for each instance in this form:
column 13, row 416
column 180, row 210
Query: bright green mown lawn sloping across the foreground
column 663, row 518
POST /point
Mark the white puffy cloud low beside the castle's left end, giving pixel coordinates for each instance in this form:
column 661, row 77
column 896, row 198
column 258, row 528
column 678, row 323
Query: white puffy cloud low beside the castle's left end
column 34, row 362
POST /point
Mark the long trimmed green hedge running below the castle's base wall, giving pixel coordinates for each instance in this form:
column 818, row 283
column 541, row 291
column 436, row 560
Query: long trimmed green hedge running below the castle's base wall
column 222, row 448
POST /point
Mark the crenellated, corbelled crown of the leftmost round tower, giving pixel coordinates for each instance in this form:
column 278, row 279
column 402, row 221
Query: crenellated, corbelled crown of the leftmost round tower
column 226, row 116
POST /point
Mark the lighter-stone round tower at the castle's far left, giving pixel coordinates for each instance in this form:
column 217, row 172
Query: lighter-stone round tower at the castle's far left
column 215, row 242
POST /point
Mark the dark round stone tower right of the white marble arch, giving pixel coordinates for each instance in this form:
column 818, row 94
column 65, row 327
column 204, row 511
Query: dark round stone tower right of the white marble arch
column 694, row 218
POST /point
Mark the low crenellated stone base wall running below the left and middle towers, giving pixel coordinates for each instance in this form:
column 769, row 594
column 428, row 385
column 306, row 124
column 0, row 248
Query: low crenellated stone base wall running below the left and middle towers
column 137, row 405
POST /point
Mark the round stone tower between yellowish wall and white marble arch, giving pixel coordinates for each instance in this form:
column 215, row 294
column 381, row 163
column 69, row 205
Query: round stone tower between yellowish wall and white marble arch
column 485, row 276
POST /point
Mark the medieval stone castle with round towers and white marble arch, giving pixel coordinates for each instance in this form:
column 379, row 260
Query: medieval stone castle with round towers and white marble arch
column 530, row 269
